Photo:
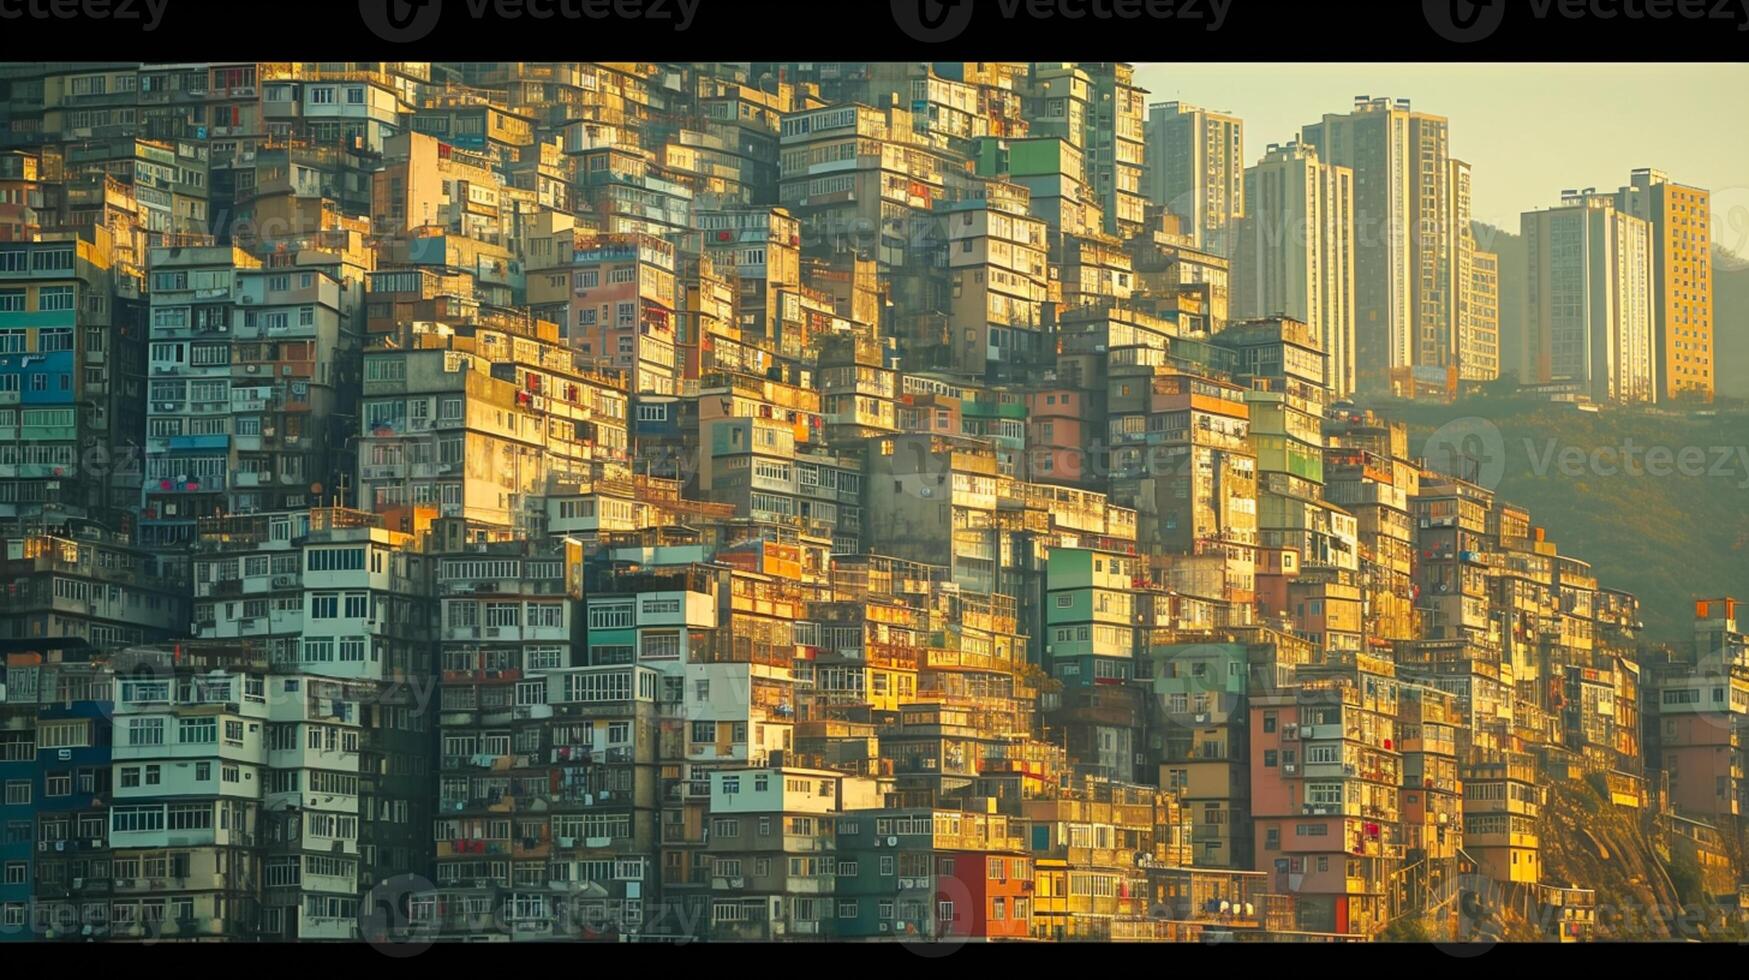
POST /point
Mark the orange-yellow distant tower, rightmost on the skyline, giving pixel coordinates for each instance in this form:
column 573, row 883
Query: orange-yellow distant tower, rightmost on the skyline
column 1682, row 225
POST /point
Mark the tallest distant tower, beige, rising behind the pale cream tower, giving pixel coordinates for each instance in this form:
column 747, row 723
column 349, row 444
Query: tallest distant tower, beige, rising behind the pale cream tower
column 1404, row 232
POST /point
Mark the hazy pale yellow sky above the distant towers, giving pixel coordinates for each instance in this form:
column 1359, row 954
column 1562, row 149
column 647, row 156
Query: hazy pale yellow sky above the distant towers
column 1530, row 130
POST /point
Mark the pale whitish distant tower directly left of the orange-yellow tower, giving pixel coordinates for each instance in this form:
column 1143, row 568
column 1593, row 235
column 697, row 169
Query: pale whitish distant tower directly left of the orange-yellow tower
column 1589, row 309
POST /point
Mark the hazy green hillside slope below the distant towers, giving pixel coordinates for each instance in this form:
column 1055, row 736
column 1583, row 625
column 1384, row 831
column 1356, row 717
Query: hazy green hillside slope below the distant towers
column 1668, row 540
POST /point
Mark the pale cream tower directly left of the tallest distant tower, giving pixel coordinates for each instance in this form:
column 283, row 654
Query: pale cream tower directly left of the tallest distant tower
column 1295, row 253
